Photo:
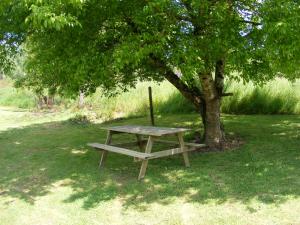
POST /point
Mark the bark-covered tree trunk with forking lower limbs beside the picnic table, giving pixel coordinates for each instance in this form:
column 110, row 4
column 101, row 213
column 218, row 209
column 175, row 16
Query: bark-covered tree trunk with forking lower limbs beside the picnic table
column 207, row 100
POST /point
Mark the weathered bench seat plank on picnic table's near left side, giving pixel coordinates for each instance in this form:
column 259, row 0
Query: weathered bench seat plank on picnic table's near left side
column 119, row 150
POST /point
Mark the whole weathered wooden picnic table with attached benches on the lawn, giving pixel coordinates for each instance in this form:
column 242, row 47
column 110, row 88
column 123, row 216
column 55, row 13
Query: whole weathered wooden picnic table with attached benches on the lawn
column 154, row 134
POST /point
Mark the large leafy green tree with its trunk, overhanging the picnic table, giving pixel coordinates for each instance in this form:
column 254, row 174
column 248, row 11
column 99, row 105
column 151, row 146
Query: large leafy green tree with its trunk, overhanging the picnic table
column 79, row 45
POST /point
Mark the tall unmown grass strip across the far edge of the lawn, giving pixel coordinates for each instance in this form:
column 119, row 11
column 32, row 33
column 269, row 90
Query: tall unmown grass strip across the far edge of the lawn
column 276, row 97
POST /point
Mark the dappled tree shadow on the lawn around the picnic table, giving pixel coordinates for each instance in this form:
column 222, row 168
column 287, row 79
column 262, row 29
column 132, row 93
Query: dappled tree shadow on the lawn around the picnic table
column 38, row 159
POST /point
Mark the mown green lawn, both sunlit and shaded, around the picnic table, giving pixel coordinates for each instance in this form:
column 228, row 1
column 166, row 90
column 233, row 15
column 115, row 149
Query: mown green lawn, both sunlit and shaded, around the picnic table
column 49, row 176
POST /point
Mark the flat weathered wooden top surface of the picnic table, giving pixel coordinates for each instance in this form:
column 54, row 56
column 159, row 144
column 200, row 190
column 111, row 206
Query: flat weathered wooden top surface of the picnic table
column 146, row 130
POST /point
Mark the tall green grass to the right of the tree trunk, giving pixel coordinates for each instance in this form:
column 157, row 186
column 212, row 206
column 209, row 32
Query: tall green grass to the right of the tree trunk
column 276, row 97
